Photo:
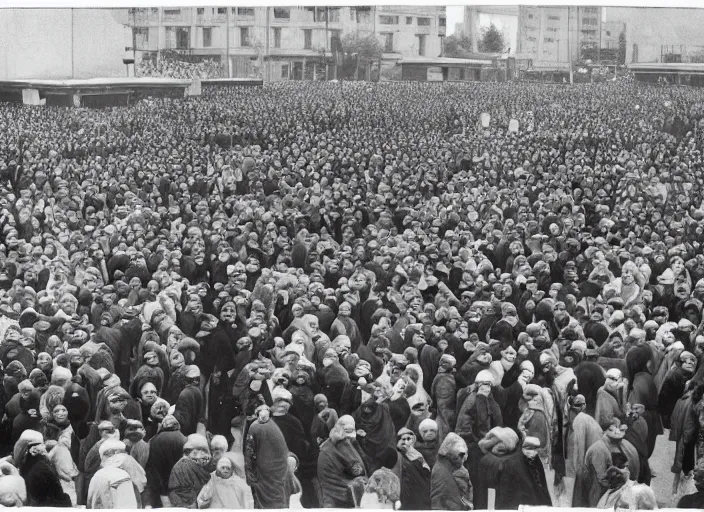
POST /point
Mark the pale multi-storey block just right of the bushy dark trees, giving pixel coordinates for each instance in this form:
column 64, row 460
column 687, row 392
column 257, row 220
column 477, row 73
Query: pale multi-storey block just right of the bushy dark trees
column 555, row 36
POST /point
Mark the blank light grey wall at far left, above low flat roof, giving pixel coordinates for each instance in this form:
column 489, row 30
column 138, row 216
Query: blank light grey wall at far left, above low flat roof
column 62, row 43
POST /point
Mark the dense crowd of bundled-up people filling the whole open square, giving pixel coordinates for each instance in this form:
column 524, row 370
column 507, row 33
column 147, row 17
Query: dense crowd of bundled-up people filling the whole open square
column 353, row 295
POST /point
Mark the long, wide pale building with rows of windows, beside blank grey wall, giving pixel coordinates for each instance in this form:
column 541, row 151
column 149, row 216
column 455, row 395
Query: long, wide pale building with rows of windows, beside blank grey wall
column 281, row 43
